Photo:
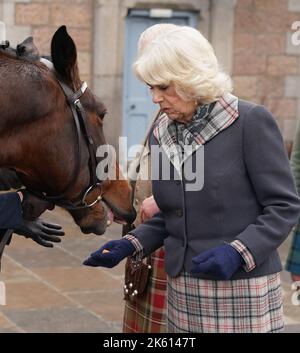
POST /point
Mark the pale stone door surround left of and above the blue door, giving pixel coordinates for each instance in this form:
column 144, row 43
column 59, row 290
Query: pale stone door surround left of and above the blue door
column 109, row 19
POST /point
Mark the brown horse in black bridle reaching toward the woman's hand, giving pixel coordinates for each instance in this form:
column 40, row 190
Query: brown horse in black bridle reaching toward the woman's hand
column 50, row 127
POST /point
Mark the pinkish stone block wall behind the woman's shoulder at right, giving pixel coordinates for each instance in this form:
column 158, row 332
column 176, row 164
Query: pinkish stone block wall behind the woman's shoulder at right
column 266, row 65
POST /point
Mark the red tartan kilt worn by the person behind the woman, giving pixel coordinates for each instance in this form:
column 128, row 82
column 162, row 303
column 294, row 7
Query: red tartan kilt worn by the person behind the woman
column 148, row 313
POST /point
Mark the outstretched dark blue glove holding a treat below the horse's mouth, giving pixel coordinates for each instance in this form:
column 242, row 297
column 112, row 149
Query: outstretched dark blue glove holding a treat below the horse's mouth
column 117, row 251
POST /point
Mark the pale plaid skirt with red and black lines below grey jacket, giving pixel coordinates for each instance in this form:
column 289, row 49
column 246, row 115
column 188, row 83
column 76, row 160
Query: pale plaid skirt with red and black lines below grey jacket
column 242, row 306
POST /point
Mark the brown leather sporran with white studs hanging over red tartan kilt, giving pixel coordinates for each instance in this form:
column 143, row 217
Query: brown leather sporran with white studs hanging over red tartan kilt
column 137, row 274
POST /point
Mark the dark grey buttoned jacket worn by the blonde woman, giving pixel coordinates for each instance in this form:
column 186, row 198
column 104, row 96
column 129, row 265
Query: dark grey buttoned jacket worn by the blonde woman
column 248, row 194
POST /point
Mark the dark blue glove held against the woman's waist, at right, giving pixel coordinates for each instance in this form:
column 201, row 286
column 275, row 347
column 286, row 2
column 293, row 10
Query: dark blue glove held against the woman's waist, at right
column 221, row 262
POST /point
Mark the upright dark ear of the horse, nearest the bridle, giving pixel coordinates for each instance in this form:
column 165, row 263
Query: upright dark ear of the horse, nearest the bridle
column 64, row 55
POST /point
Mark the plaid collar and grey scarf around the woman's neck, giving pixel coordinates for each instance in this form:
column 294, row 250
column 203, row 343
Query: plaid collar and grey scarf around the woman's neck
column 180, row 141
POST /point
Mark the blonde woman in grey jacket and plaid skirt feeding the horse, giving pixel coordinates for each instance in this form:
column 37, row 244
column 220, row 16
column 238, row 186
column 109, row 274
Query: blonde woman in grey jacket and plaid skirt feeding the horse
column 221, row 230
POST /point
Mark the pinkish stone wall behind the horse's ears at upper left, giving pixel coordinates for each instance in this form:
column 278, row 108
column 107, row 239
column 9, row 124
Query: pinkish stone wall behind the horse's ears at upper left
column 40, row 18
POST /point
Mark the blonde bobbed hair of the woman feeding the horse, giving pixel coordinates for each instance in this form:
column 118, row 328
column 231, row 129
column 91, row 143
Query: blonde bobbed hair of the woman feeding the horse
column 181, row 55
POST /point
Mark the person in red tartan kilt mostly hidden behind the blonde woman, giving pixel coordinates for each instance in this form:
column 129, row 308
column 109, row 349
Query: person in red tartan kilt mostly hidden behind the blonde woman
column 146, row 313
